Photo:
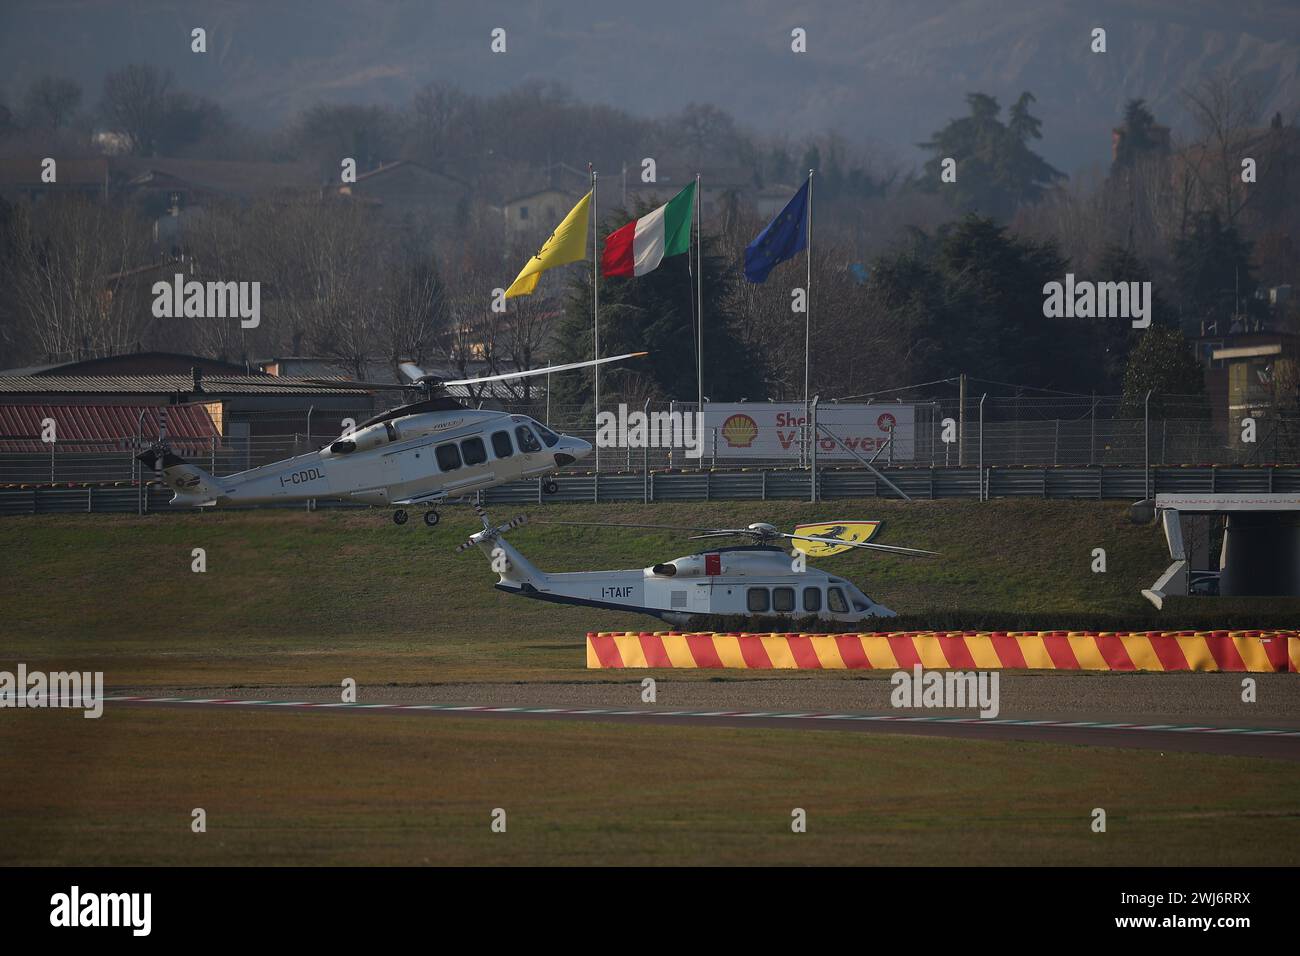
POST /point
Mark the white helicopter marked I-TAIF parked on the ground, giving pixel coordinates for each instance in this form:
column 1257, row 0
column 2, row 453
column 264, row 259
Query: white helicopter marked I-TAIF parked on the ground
column 755, row 581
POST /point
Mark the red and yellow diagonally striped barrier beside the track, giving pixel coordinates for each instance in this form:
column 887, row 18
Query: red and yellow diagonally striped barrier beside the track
column 1093, row 651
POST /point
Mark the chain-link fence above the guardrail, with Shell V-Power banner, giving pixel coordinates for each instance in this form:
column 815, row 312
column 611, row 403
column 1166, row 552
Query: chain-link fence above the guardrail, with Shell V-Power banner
column 994, row 432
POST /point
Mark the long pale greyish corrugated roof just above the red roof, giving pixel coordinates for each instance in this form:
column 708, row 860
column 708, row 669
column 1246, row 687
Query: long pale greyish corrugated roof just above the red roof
column 215, row 386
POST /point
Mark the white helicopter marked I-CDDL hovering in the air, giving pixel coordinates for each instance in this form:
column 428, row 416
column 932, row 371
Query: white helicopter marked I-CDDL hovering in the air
column 417, row 455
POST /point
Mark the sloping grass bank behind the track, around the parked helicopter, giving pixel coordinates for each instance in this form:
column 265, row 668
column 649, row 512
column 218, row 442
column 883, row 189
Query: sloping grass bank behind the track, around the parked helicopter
column 294, row 598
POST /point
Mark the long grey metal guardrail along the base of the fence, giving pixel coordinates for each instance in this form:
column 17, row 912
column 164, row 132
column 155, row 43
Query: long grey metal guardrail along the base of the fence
column 1061, row 483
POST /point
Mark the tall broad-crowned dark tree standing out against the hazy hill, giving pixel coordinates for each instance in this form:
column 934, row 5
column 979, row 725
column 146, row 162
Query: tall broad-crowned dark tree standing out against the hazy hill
column 996, row 170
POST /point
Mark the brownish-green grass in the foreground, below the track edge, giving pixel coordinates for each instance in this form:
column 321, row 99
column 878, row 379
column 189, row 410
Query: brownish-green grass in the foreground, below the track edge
column 359, row 790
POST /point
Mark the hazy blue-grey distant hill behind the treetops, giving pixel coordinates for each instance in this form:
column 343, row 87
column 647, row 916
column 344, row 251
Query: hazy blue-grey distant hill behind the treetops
column 889, row 71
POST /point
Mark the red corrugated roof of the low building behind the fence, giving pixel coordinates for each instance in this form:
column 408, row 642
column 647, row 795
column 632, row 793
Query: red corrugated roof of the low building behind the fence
column 105, row 427
